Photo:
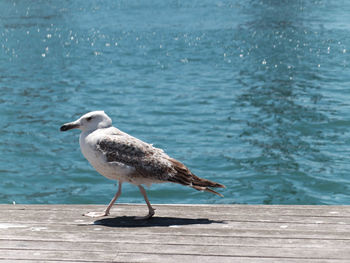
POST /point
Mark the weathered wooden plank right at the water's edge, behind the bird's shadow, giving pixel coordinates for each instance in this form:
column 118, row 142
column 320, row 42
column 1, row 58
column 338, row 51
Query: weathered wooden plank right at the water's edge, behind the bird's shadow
column 53, row 216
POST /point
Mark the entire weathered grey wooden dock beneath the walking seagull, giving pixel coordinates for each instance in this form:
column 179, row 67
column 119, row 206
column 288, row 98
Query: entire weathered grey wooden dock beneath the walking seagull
column 178, row 233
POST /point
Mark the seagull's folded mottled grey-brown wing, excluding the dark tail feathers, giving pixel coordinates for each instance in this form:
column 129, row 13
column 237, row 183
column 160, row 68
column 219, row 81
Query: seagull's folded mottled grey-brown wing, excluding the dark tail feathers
column 146, row 159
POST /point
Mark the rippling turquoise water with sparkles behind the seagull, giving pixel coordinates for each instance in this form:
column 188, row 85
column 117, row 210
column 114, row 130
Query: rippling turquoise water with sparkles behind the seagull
column 252, row 94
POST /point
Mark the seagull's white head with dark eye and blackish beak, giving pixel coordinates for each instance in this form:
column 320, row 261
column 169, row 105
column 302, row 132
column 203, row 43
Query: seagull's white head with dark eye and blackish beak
column 89, row 122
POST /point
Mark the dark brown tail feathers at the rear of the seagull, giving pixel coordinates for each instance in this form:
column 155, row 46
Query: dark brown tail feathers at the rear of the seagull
column 185, row 177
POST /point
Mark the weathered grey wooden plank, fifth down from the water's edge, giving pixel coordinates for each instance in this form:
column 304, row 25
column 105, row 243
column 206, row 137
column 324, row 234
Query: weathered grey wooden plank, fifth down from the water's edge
column 31, row 247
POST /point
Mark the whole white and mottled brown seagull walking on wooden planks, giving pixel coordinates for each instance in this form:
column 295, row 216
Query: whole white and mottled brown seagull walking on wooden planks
column 122, row 157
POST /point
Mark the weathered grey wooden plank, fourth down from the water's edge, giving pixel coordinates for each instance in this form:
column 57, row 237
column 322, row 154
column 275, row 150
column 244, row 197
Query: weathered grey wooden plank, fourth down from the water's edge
column 93, row 245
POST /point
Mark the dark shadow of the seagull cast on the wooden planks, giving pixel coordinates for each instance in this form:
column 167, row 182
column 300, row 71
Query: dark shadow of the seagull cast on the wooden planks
column 130, row 221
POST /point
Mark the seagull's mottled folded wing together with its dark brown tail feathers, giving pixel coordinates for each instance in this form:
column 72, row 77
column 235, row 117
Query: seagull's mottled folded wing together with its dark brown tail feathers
column 150, row 162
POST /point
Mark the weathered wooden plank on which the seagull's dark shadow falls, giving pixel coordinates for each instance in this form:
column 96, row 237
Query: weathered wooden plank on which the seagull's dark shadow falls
column 321, row 225
